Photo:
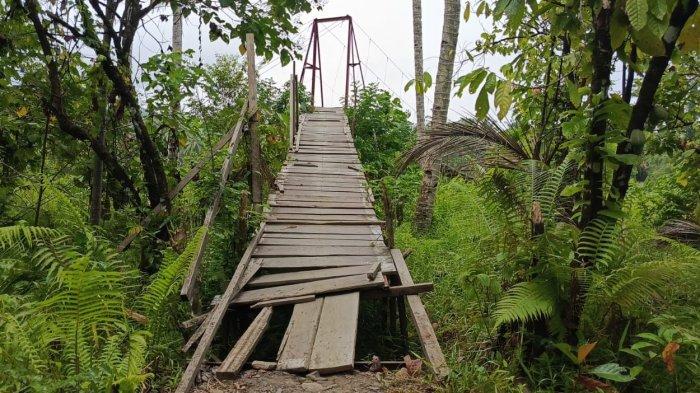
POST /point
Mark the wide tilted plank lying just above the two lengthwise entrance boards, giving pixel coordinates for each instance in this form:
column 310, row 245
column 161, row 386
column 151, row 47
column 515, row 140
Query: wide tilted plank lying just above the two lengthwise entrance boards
column 340, row 284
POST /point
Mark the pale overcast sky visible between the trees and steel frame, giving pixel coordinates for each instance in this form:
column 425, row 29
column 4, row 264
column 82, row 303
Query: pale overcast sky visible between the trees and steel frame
column 384, row 34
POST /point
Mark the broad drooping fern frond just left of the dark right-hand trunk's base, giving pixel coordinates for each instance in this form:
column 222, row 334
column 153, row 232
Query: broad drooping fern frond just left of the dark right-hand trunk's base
column 525, row 302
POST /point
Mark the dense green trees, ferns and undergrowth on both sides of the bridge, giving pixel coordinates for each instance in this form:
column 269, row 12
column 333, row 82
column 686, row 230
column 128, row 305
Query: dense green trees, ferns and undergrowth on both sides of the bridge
column 565, row 234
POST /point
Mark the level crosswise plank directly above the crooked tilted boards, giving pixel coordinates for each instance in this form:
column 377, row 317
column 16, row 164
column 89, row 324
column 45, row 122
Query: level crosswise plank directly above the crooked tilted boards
column 322, row 262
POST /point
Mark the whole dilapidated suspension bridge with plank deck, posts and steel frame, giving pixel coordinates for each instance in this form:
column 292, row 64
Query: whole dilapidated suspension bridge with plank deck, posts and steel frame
column 319, row 253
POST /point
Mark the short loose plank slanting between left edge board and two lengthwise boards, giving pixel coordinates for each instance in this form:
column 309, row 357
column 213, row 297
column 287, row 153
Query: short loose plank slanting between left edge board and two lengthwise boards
column 245, row 346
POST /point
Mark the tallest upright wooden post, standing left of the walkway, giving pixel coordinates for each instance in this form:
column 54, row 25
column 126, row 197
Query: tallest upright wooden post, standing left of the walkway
column 255, row 156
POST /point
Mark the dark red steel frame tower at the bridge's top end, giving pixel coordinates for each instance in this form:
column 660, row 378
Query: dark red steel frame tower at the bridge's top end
column 352, row 61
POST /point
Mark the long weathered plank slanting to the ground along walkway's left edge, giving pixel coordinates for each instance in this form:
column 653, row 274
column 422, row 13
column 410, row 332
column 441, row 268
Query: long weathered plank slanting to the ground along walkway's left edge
column 212, row 323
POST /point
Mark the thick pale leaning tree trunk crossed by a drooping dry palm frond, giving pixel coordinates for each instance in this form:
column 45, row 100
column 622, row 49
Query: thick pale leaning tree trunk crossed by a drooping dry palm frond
column 443, row 87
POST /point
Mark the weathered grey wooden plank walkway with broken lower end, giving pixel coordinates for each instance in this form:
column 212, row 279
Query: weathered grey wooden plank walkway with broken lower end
column 321, row 244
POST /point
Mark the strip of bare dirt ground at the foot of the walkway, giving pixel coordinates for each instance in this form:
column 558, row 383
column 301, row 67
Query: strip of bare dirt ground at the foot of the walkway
column 259, row 381
